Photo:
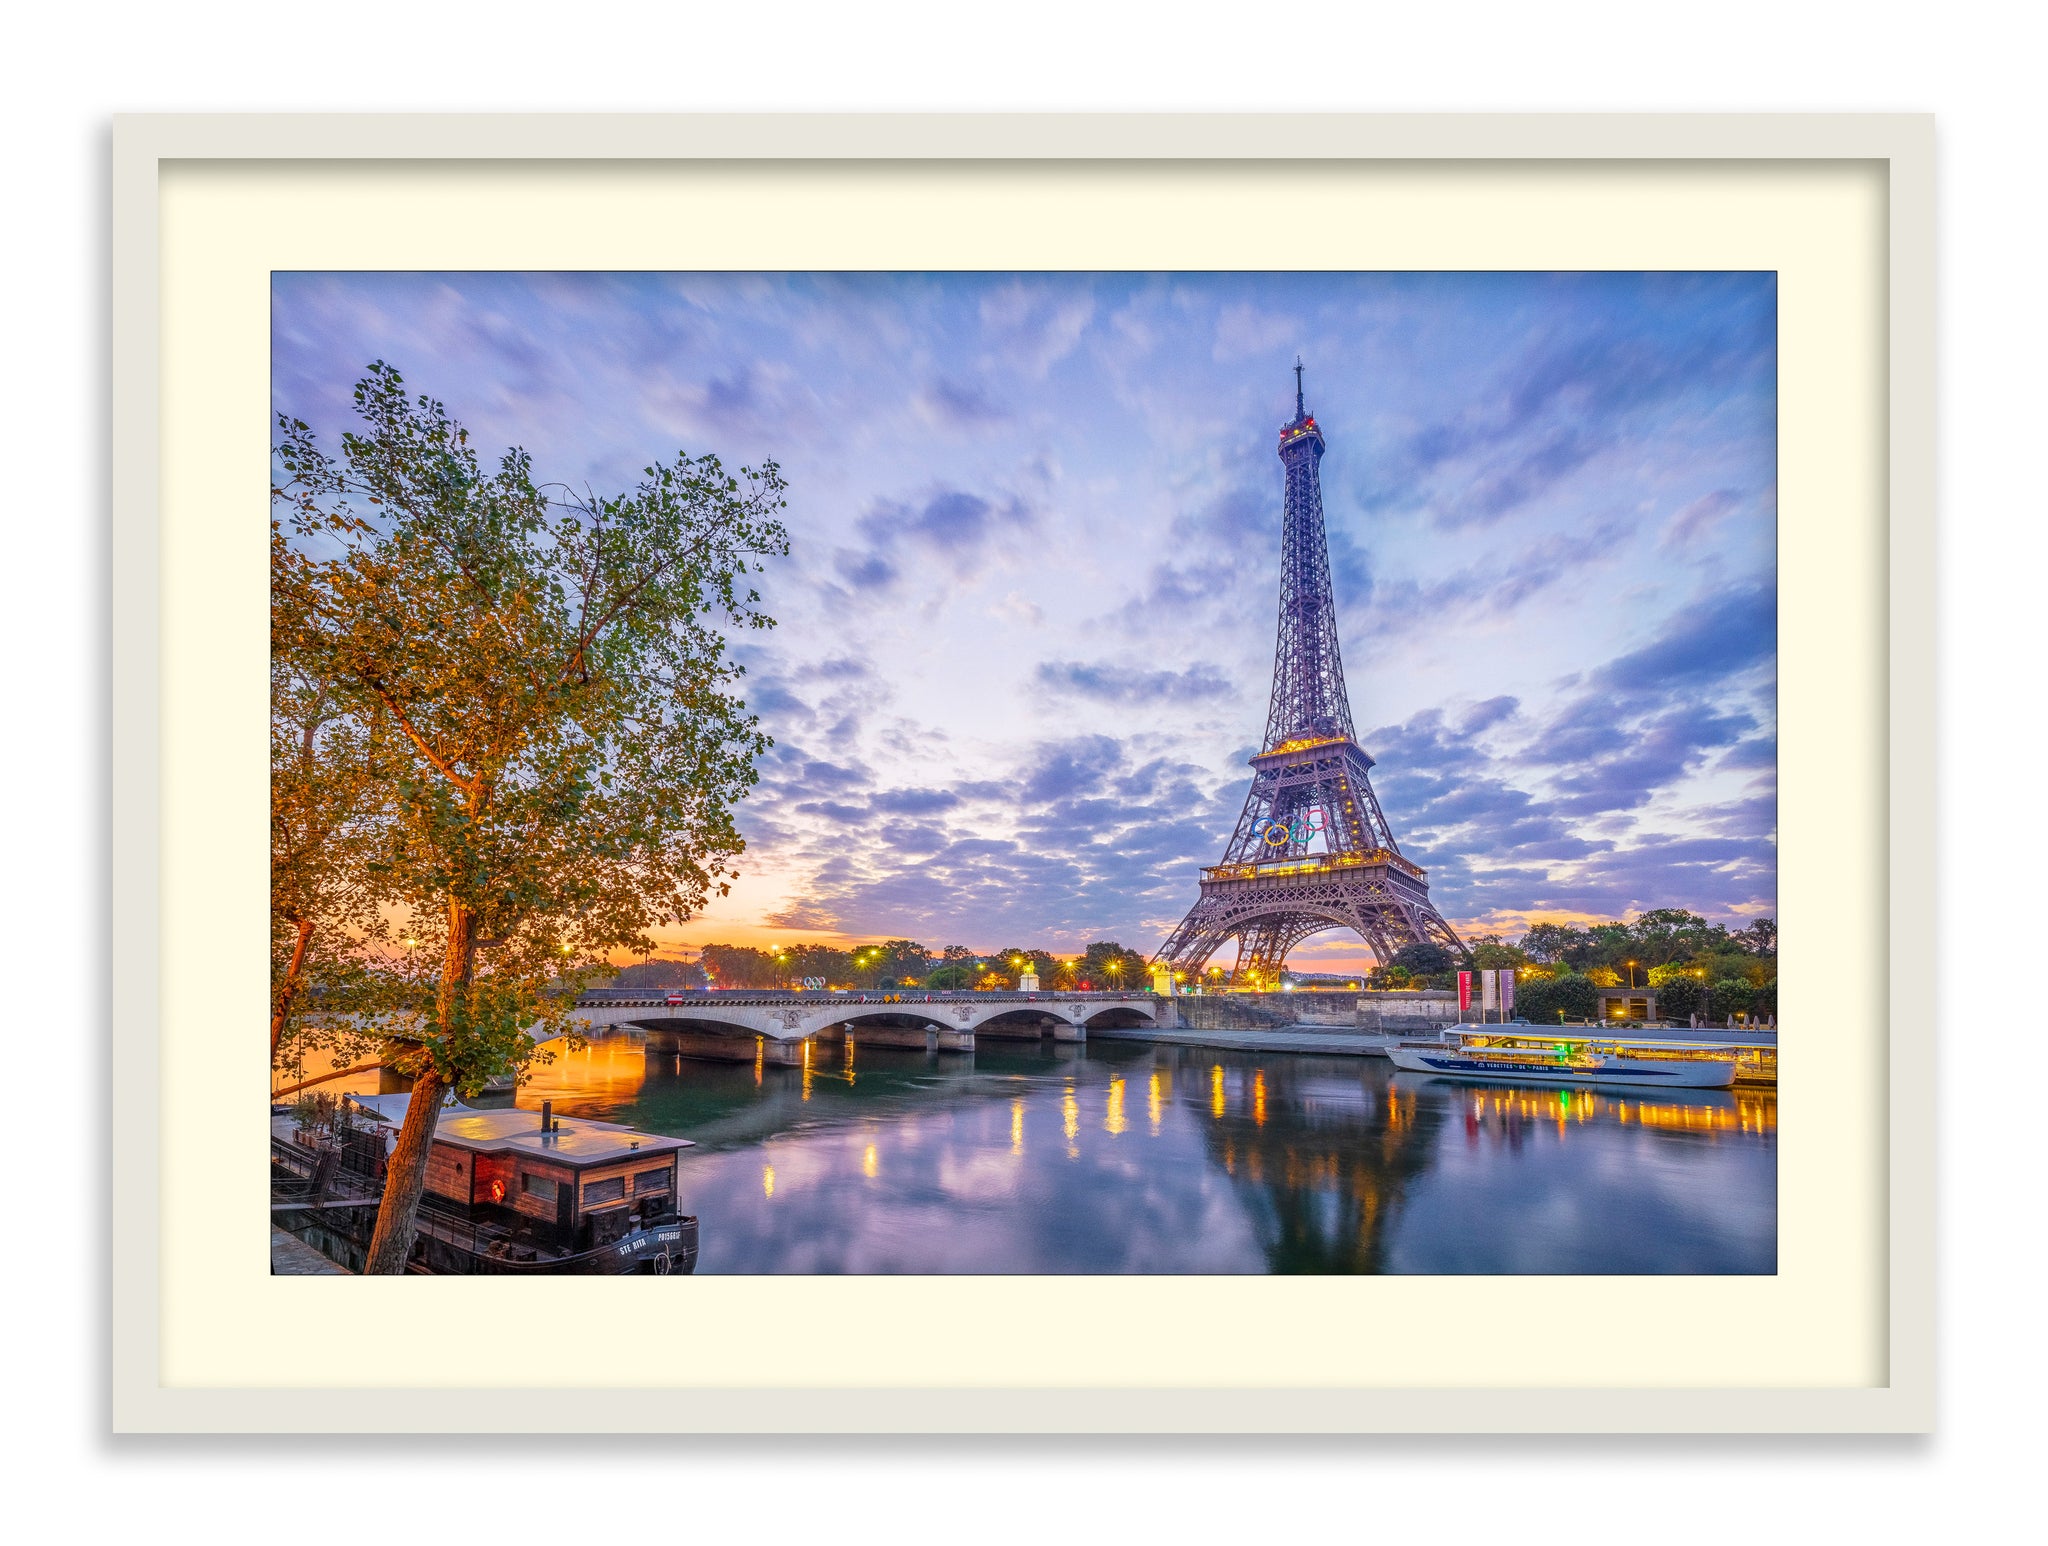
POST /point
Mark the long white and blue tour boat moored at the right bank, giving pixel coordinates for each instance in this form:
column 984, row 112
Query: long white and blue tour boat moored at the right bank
column 1525, row 1056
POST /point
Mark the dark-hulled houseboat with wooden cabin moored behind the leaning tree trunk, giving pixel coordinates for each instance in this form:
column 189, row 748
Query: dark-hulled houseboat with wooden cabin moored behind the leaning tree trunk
column 507, row 1191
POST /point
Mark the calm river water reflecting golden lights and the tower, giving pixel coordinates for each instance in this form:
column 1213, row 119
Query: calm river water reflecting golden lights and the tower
column 1043, row 1158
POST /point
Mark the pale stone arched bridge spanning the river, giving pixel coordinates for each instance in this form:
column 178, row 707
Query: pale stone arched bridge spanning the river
column 779, row 1027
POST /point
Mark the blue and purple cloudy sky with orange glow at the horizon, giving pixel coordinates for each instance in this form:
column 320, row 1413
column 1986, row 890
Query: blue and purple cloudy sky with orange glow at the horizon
column 1027, row 626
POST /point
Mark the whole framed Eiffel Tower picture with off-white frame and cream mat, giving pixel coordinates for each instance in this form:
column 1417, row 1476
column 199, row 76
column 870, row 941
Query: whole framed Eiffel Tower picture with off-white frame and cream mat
column 1232, row 730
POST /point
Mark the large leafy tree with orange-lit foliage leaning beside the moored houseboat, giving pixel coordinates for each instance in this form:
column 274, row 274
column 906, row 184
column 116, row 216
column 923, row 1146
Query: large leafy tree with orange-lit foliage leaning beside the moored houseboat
column 552, row 673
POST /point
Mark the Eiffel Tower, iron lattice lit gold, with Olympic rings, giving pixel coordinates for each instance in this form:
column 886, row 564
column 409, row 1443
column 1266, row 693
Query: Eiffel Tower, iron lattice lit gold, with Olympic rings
column 1312, row 851
